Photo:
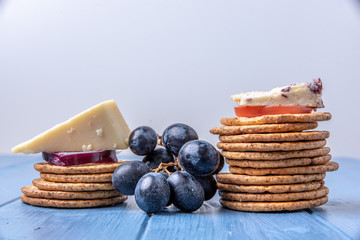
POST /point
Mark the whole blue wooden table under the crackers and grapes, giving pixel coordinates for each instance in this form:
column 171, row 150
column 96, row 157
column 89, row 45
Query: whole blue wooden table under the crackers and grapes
column 338, row 219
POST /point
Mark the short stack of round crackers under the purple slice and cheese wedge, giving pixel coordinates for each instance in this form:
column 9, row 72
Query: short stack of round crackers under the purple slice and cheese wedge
column 81, row 186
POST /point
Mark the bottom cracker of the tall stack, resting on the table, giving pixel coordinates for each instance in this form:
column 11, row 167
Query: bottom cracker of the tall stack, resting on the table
column 273, row 206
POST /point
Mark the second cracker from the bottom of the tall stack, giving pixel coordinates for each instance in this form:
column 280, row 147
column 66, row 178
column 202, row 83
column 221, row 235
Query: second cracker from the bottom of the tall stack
column 274, row 197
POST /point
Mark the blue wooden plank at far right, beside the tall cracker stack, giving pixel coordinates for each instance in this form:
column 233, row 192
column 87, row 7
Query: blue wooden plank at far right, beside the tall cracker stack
column 343, row 208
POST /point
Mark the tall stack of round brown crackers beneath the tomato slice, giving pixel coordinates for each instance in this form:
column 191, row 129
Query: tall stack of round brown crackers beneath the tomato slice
column 276, row 164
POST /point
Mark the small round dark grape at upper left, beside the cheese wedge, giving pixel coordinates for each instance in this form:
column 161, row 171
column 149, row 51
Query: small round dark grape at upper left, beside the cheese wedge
column 142, row 140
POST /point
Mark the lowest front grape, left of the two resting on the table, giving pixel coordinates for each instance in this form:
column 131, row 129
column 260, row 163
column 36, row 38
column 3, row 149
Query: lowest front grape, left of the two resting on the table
column 152, row 192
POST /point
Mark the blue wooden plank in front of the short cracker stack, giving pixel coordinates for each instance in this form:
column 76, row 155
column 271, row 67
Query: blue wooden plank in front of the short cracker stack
column 22, row 221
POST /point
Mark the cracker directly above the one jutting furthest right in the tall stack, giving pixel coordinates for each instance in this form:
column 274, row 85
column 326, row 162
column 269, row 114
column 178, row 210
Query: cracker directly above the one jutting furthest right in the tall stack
column 292, row 162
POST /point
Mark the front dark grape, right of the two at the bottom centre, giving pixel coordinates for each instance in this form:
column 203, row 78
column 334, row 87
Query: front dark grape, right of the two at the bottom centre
column 187, row 194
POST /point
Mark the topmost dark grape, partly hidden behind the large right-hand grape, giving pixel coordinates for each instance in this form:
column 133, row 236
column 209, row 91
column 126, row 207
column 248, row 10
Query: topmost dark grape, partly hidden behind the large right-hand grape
column 176, row 135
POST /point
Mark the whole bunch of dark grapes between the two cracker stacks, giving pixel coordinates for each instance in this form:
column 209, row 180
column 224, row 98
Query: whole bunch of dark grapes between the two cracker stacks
column 179, row 171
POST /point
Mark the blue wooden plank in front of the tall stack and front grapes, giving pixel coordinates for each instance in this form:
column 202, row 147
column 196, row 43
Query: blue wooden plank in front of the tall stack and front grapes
column 214, row 222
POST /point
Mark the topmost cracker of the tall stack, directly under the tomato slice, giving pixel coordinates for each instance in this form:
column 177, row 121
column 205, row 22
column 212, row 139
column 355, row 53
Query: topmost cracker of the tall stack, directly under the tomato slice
column 281, row 118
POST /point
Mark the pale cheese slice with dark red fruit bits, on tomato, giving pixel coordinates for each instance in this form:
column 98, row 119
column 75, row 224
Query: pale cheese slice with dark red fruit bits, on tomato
column 304, row 94
